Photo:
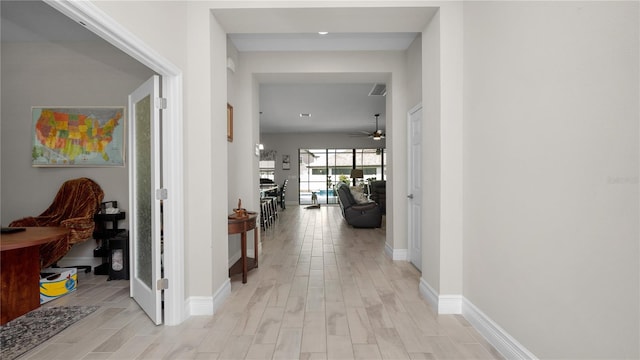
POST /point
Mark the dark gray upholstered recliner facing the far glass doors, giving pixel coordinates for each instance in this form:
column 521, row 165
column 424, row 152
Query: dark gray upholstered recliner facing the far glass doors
column 366, row 215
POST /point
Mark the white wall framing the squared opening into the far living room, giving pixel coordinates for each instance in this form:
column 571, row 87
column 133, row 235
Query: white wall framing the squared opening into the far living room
column 389, row 66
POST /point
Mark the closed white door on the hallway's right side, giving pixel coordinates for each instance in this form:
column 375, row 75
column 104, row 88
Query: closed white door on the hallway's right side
column 415, row 186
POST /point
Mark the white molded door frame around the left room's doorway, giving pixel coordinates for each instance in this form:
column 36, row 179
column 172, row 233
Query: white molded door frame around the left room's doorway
column 96, row 21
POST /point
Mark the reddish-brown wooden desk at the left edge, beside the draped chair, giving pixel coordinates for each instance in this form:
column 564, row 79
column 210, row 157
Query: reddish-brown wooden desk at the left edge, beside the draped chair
column 20, row 269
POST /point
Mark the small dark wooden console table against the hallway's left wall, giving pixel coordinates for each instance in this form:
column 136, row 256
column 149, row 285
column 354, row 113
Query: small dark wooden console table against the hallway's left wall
column 240, row 225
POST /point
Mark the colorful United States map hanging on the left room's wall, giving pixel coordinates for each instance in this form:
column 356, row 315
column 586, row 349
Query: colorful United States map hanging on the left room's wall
column 78, row 136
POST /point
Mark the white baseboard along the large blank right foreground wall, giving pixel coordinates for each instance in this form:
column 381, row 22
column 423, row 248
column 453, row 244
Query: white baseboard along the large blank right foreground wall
column 509, row 347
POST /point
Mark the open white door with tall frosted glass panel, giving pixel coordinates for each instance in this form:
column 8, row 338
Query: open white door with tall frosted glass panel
column 144, row 178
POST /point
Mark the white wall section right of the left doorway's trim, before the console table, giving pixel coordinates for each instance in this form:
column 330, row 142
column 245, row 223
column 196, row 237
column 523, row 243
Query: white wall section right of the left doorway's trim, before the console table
column 186, row 34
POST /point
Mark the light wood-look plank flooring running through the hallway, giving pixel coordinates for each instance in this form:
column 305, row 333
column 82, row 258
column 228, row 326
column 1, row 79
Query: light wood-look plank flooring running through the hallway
column 323, row 290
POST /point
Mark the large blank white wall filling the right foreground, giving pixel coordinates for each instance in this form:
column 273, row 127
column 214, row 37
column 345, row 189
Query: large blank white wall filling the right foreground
column 551, row 174
